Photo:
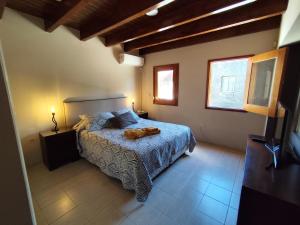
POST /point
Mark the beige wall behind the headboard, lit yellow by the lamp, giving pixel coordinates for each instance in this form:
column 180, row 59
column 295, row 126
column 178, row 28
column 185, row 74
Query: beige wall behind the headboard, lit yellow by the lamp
column 44, row 68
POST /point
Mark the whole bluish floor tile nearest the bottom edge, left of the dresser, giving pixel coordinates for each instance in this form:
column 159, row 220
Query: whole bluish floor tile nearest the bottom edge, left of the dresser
column 213, row 208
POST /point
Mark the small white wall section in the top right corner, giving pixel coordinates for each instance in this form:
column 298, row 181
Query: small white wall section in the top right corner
column 290, row 24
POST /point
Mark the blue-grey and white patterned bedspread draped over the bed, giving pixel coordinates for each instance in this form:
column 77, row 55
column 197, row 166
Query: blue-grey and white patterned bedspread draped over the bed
column 136, row 162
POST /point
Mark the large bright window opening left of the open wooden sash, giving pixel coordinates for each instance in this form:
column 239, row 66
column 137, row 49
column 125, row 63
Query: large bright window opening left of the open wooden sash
column 226, row 83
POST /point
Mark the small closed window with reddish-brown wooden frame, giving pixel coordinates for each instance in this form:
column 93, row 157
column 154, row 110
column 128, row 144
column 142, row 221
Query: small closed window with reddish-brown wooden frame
column 165, row 84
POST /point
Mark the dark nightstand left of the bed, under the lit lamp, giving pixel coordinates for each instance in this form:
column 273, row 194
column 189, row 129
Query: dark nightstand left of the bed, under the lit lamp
column 59, row 148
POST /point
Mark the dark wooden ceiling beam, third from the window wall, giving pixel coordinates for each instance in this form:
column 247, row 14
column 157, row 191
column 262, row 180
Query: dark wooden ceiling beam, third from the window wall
column 168, row 17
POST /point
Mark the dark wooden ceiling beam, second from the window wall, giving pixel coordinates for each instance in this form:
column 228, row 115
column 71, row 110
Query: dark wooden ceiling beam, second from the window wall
column 256, row 11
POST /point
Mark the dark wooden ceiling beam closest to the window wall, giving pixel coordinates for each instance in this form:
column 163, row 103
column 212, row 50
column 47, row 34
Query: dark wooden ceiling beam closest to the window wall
column 266, row 24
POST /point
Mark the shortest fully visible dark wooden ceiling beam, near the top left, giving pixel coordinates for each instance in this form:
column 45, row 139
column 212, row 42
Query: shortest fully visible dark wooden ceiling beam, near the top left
column 63, row 13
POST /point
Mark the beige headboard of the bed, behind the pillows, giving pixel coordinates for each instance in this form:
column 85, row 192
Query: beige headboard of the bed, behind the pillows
column 91, row 106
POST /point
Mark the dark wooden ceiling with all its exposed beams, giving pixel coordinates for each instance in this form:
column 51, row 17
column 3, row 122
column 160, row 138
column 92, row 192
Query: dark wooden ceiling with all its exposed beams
column 178, row 23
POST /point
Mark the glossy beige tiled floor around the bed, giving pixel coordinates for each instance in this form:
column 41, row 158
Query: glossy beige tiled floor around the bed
column 200, row 189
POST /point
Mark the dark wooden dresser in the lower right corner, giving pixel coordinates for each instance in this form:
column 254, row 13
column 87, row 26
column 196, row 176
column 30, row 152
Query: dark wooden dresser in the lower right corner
column 268, row 197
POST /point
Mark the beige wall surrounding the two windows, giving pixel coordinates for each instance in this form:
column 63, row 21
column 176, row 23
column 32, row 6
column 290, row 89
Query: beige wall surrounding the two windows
column 219, row 127
